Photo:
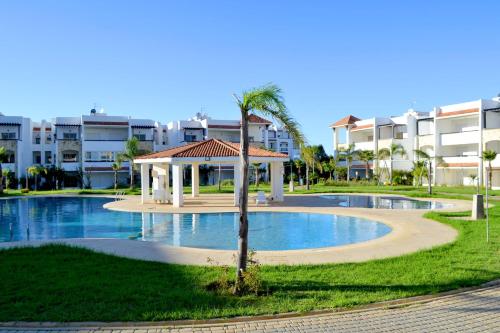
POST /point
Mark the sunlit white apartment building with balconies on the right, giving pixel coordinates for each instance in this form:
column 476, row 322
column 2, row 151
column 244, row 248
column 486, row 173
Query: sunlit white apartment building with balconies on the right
column 456, row 133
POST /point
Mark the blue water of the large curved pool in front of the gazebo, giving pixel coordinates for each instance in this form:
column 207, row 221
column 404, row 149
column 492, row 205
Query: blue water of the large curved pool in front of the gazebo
column 76, row 217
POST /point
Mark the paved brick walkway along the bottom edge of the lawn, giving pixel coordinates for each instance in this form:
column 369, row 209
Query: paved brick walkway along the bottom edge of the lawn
column 472, row 311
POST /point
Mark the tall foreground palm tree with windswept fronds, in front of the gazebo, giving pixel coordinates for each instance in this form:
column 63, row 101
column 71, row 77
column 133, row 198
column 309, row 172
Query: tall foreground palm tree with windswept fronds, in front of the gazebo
column 268, row 101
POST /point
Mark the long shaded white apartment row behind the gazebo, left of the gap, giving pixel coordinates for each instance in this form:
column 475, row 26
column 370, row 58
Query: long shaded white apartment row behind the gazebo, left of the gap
column 89, row 144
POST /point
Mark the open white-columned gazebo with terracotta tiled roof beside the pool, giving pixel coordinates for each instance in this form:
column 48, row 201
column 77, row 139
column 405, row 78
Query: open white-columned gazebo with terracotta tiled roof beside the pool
column 211, row 151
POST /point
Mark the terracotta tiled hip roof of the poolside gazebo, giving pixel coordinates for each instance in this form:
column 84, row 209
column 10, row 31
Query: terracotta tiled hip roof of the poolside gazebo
column 211, row 148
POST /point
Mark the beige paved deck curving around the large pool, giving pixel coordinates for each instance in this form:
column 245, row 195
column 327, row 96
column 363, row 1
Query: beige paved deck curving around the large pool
column 410, row 232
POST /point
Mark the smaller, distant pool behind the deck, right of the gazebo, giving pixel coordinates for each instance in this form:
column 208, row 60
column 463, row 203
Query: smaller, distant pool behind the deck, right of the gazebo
column 385, row 202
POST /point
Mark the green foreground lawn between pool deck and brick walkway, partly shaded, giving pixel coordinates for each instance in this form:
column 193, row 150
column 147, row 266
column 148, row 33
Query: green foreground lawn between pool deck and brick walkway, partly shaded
column 60, row 283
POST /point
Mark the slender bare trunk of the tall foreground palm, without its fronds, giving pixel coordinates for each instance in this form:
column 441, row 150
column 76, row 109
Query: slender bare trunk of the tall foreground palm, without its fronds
column 241, row 263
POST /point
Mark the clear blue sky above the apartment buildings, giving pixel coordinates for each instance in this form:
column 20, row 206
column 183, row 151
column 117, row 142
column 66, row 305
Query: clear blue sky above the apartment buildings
column 166, row 60
